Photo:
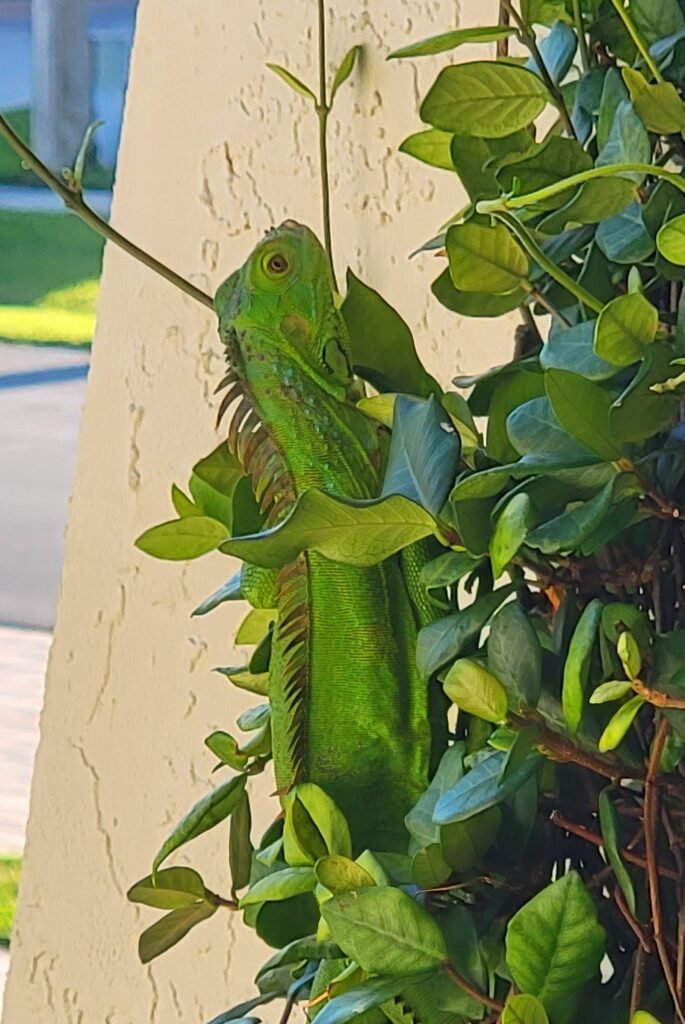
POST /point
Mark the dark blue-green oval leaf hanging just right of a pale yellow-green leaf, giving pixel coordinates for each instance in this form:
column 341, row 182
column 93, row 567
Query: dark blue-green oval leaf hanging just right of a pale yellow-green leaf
column 515, row 655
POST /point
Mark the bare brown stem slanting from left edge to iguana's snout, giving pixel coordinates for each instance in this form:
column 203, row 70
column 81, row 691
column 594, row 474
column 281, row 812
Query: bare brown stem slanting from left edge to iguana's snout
column 73, row 200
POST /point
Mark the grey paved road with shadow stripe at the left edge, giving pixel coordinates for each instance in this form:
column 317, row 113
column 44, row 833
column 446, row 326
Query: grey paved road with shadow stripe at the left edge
column 39, row 425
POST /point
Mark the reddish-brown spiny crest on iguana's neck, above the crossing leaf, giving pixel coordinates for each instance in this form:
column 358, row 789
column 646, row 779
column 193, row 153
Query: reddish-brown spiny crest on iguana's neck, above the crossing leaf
column 250, row 442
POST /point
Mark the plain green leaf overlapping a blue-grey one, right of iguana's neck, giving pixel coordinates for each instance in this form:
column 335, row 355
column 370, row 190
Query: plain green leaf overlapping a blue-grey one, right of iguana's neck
column 583, row 410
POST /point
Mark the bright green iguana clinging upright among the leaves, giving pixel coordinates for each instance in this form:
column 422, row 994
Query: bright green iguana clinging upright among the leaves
column 349, row 709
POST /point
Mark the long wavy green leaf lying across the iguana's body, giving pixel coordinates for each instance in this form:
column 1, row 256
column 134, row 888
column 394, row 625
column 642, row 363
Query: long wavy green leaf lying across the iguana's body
column 358, row 533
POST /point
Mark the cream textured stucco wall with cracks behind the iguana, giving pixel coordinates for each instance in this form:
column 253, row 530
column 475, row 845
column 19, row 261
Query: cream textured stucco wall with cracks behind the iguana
column 216, row 151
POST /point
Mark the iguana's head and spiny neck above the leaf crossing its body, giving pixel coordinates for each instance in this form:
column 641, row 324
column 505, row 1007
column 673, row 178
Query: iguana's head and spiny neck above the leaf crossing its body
column 289, row 359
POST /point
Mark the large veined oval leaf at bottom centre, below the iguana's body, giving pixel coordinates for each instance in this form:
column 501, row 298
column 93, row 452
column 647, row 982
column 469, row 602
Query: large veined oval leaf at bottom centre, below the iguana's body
column 386, row 931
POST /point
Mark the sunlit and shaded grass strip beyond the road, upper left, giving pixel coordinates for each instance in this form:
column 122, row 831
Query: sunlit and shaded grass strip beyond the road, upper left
column 49, row 283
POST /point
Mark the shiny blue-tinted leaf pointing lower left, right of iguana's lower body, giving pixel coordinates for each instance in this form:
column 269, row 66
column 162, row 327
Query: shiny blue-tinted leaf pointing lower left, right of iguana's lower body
column 483, row 788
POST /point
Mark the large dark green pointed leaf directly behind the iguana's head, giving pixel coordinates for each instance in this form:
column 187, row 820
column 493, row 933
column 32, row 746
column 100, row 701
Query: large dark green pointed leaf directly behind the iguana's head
column 383, row 350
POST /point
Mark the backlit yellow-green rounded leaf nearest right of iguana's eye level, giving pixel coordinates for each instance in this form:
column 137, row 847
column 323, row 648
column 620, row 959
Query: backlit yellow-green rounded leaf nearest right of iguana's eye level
column 485, row 259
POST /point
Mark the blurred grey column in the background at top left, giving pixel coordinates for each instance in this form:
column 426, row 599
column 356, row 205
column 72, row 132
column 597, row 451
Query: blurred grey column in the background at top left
column 61, row 79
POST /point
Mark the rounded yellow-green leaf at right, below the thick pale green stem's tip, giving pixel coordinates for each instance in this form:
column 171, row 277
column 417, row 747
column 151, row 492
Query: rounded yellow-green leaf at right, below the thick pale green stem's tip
column 625, row 328
